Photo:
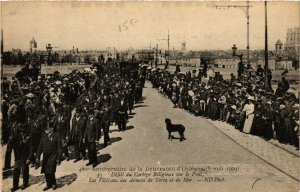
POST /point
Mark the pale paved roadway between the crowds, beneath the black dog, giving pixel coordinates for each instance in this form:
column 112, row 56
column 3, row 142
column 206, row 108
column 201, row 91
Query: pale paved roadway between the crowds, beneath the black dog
column 146, row 144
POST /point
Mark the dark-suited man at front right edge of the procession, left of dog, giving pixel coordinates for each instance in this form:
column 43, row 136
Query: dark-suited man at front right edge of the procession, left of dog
column 91, row 136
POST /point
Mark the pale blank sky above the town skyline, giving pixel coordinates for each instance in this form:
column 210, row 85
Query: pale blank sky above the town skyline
column 136, row 24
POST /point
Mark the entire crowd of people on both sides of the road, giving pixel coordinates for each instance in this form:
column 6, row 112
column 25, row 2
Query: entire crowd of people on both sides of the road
column 48, row 113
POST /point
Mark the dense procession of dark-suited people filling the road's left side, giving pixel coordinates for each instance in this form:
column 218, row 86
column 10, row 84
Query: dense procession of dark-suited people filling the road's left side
column 47, row 113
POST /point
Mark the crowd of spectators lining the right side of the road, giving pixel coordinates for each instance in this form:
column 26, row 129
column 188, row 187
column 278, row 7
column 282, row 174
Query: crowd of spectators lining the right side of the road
column 243, row 102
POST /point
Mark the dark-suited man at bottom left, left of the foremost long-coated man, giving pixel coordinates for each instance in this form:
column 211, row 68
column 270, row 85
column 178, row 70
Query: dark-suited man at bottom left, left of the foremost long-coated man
column 21, row 145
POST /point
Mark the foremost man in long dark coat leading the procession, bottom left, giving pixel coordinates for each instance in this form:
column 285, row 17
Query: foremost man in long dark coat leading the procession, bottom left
column 50, row 146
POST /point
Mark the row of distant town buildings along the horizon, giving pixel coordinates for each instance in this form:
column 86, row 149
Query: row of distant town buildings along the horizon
column 283, row 57
